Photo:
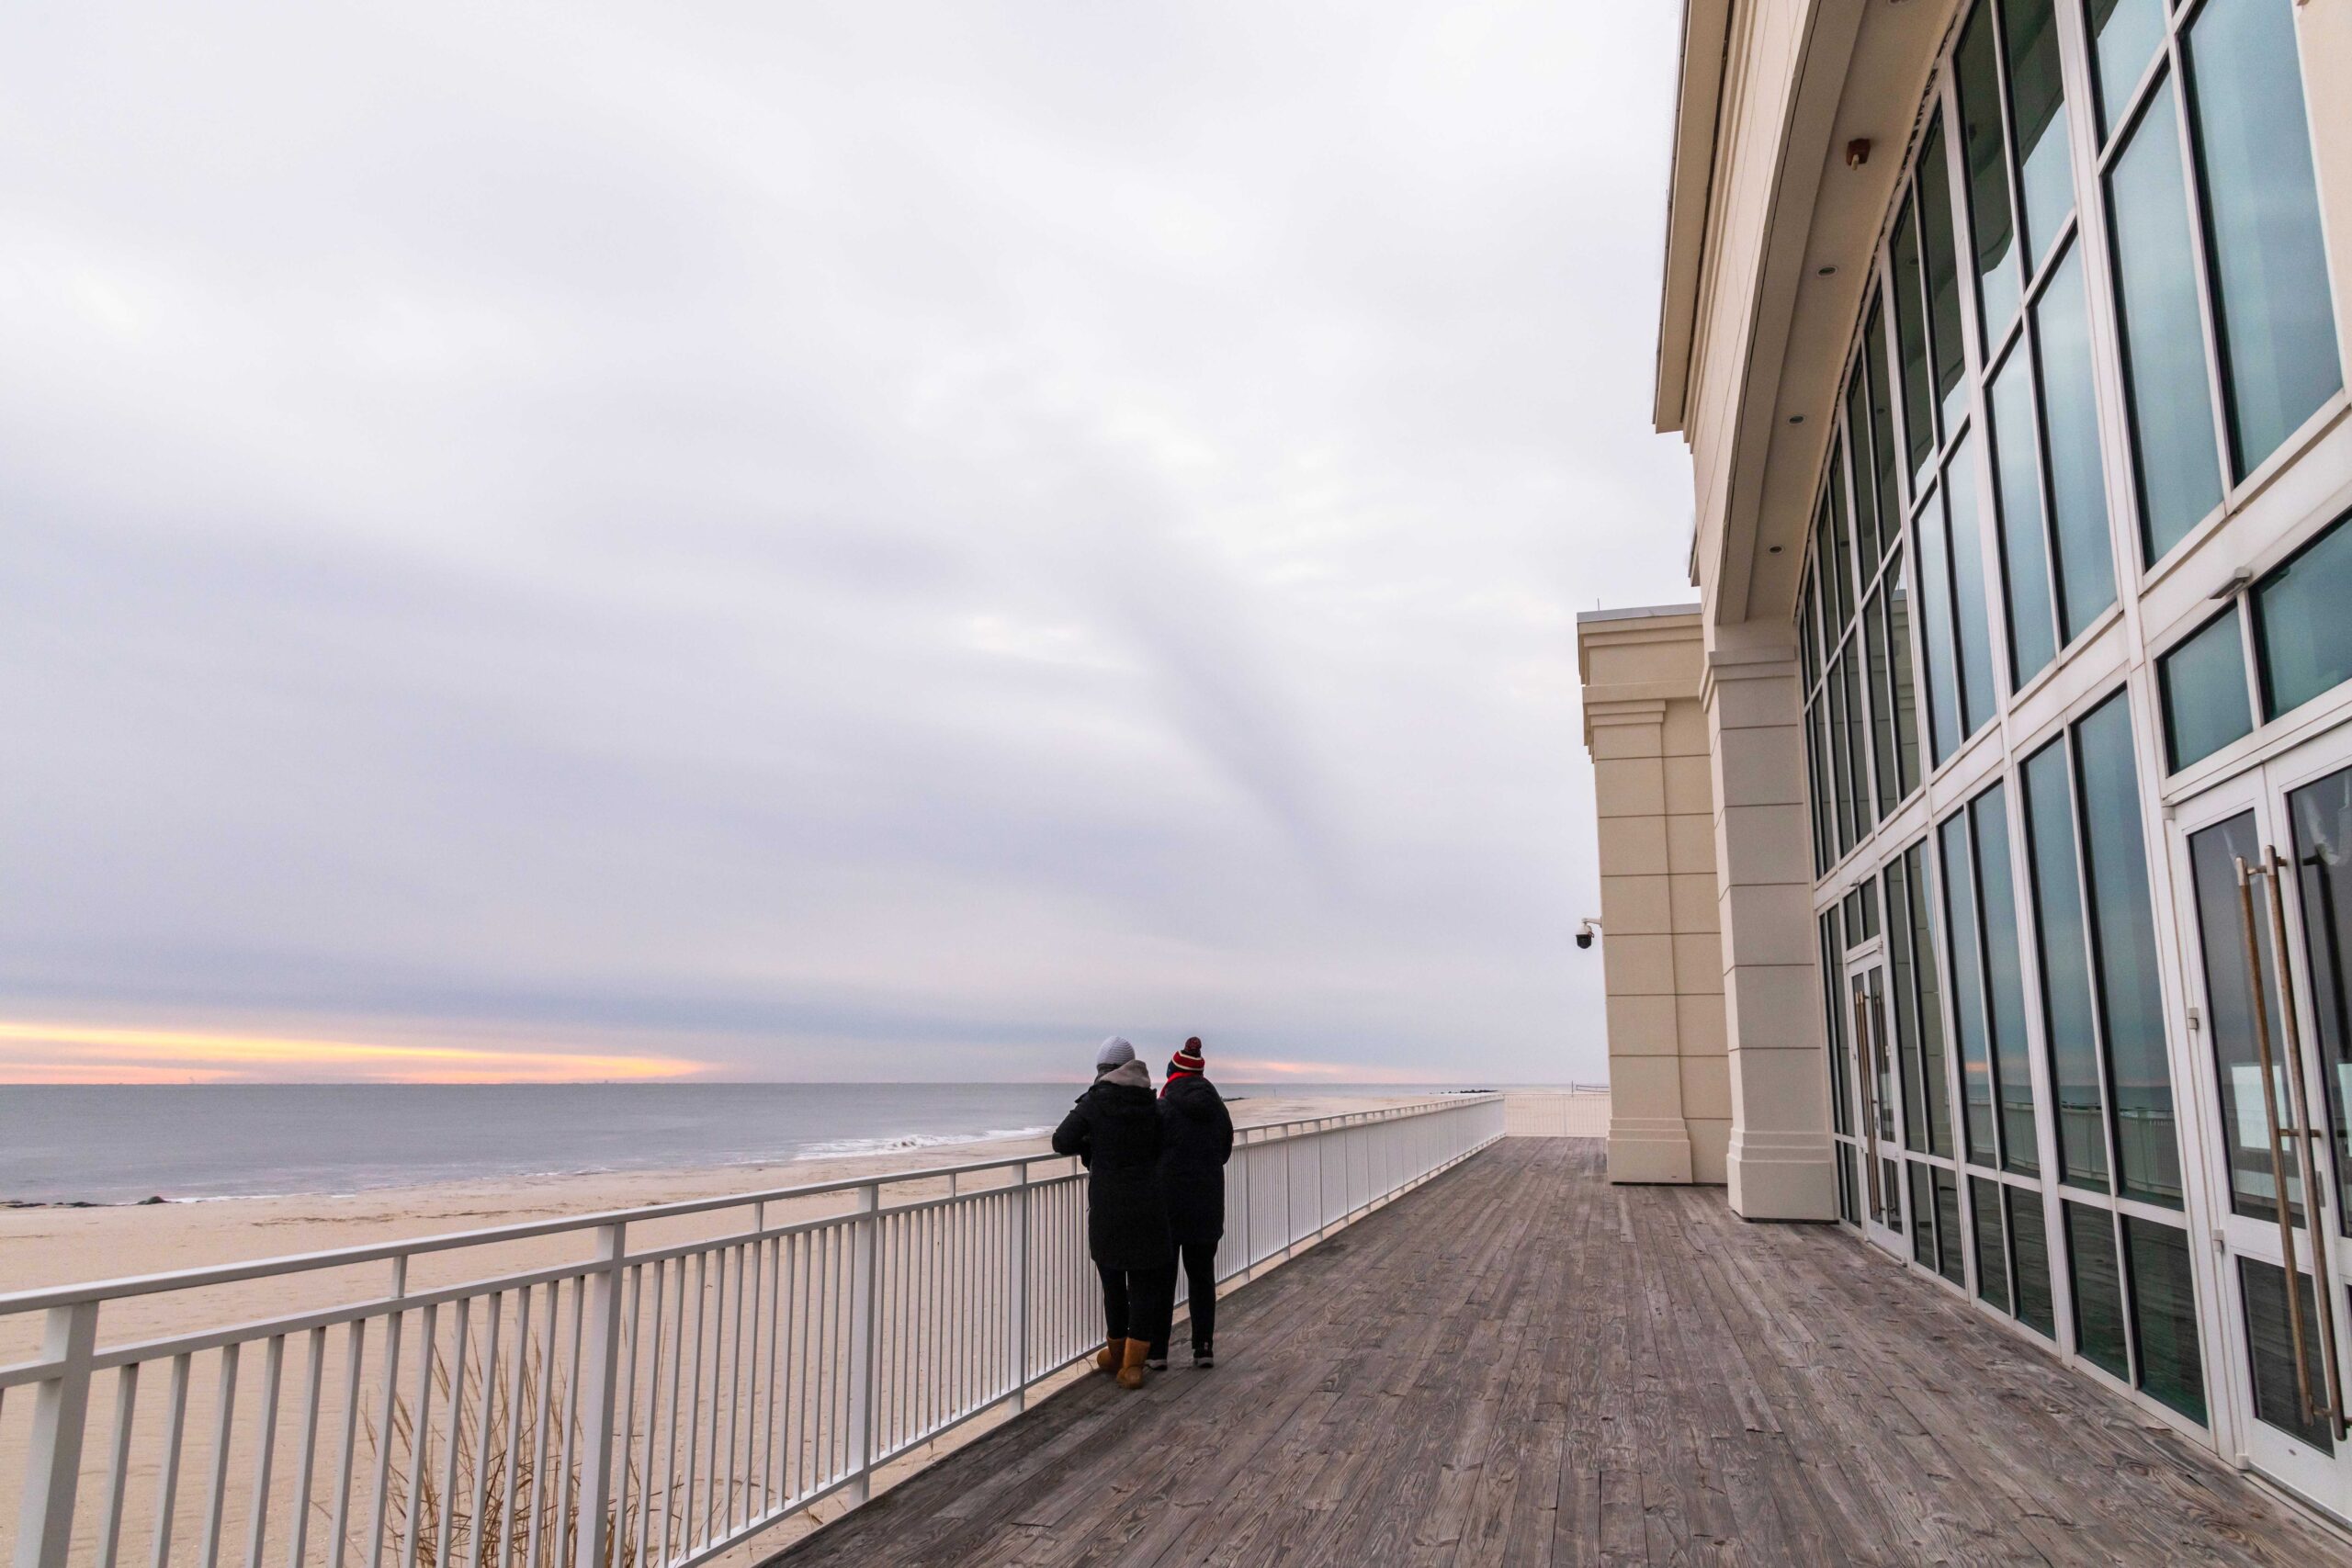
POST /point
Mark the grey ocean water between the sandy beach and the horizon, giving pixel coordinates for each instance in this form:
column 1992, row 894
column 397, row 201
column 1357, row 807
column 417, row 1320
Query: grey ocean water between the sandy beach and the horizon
column 121, row 1144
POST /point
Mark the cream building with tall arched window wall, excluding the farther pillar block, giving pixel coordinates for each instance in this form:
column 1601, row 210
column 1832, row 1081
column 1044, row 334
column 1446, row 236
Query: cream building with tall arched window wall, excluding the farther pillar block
column 2010, row 340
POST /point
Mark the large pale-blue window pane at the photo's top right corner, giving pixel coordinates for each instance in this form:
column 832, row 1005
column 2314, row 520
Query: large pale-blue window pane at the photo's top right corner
column 2261, row 201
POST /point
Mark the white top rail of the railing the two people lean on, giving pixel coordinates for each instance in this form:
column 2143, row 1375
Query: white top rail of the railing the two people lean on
column 382, row 1252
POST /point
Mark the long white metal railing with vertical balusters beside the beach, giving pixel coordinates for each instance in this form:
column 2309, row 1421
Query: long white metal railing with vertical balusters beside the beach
column 632, row 1409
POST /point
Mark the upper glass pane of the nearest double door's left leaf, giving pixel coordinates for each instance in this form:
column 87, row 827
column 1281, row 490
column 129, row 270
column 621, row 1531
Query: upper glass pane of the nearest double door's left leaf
column 2233, row 1026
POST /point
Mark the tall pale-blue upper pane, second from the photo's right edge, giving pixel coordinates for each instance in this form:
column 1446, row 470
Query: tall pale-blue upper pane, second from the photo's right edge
column 2156, row 276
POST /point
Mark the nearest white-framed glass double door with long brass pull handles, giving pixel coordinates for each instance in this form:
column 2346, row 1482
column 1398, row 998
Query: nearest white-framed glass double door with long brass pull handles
column 2266, row 880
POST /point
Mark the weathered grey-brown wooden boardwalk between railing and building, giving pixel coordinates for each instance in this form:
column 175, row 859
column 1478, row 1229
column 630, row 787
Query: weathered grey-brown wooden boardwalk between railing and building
column 1523, row 1365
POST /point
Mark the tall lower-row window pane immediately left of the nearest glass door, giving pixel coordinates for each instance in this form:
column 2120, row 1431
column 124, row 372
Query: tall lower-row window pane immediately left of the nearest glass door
column 2125, row 949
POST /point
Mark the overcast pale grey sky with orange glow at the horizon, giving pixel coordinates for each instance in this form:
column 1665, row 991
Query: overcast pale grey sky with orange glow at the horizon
column 860, row 542
